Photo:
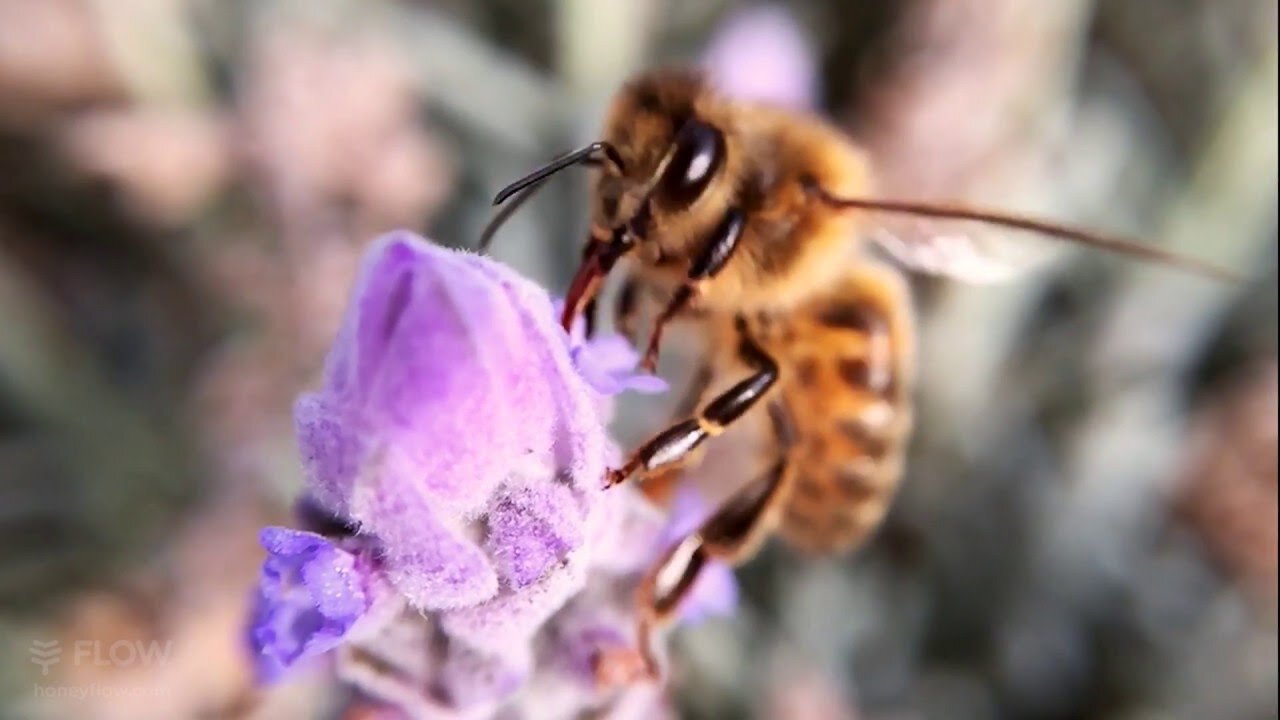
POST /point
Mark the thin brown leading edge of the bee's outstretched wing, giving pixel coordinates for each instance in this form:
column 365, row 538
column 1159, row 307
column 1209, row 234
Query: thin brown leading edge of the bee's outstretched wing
column 1121, row 247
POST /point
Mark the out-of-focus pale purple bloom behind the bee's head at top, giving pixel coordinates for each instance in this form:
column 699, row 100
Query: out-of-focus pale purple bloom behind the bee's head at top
column 762, row 54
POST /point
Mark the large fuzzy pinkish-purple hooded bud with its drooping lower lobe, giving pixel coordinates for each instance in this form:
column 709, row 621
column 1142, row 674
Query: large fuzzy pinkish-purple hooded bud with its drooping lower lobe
column 449, row 379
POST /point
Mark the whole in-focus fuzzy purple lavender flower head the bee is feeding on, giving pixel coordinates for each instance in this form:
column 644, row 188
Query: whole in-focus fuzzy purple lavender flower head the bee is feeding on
column 459, row 444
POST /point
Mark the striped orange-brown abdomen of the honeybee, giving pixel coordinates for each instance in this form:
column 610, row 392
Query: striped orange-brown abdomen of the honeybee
column 847, row 379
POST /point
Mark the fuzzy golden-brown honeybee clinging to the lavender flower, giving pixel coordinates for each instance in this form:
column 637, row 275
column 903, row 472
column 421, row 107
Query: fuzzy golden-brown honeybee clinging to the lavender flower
column 755, row 222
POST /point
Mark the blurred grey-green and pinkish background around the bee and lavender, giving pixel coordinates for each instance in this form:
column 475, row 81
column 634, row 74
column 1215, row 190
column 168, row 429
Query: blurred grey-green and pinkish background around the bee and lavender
column 1087, row 527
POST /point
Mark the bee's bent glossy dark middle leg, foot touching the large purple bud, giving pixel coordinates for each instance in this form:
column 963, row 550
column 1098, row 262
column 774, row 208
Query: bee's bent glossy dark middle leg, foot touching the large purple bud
column 678, row 441
